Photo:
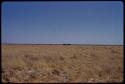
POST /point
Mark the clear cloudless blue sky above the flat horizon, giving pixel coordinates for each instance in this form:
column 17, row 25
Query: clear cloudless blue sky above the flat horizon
column 62, row 22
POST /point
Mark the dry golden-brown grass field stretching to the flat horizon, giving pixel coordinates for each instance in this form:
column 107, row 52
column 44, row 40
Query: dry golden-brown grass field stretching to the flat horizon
column 61, row 64
